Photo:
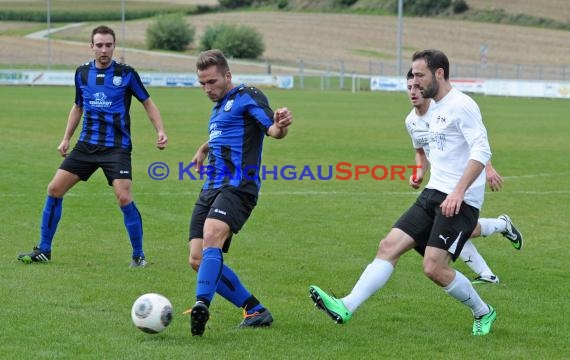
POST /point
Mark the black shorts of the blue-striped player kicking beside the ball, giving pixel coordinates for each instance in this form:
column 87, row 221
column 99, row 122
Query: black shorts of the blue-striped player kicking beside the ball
column 228, row 204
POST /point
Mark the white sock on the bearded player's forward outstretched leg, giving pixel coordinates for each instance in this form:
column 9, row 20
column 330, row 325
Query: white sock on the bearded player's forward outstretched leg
column 373, row 278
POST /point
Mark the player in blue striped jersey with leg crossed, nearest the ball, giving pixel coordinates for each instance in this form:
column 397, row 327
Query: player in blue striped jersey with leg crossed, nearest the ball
column 240, row 120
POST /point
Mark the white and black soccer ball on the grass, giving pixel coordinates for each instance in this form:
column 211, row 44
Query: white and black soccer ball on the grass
column 151, row 313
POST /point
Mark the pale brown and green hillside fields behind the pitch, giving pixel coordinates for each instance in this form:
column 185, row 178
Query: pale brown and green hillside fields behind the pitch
column 358, row 38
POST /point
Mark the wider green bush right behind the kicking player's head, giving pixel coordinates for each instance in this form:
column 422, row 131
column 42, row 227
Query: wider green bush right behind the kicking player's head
column 235, row 41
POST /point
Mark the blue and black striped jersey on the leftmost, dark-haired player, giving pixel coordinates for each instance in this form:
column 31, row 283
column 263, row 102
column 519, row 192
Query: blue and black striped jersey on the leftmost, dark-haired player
column 105, row 96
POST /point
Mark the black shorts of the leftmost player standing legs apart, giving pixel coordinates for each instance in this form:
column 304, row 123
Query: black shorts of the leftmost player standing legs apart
column 86, row 158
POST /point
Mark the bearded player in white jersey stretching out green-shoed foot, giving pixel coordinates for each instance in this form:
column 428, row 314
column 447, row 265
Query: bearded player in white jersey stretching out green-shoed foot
column 445, row 214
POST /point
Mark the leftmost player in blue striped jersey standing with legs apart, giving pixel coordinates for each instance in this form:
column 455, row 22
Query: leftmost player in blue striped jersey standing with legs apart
column 103, row 92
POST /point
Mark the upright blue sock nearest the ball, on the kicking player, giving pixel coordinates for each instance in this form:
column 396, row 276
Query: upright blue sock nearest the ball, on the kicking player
column 209, row 275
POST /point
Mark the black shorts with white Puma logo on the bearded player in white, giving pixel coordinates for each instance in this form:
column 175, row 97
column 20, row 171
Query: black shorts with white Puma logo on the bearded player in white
column 425, row 223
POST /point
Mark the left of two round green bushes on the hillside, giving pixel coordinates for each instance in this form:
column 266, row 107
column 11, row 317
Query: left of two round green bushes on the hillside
column 169, row 32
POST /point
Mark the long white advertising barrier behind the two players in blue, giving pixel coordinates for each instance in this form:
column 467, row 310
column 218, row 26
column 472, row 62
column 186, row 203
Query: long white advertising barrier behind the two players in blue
column 17, row 77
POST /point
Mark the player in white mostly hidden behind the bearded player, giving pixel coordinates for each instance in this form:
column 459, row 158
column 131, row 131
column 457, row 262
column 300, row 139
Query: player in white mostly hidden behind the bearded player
column 417, row 127
